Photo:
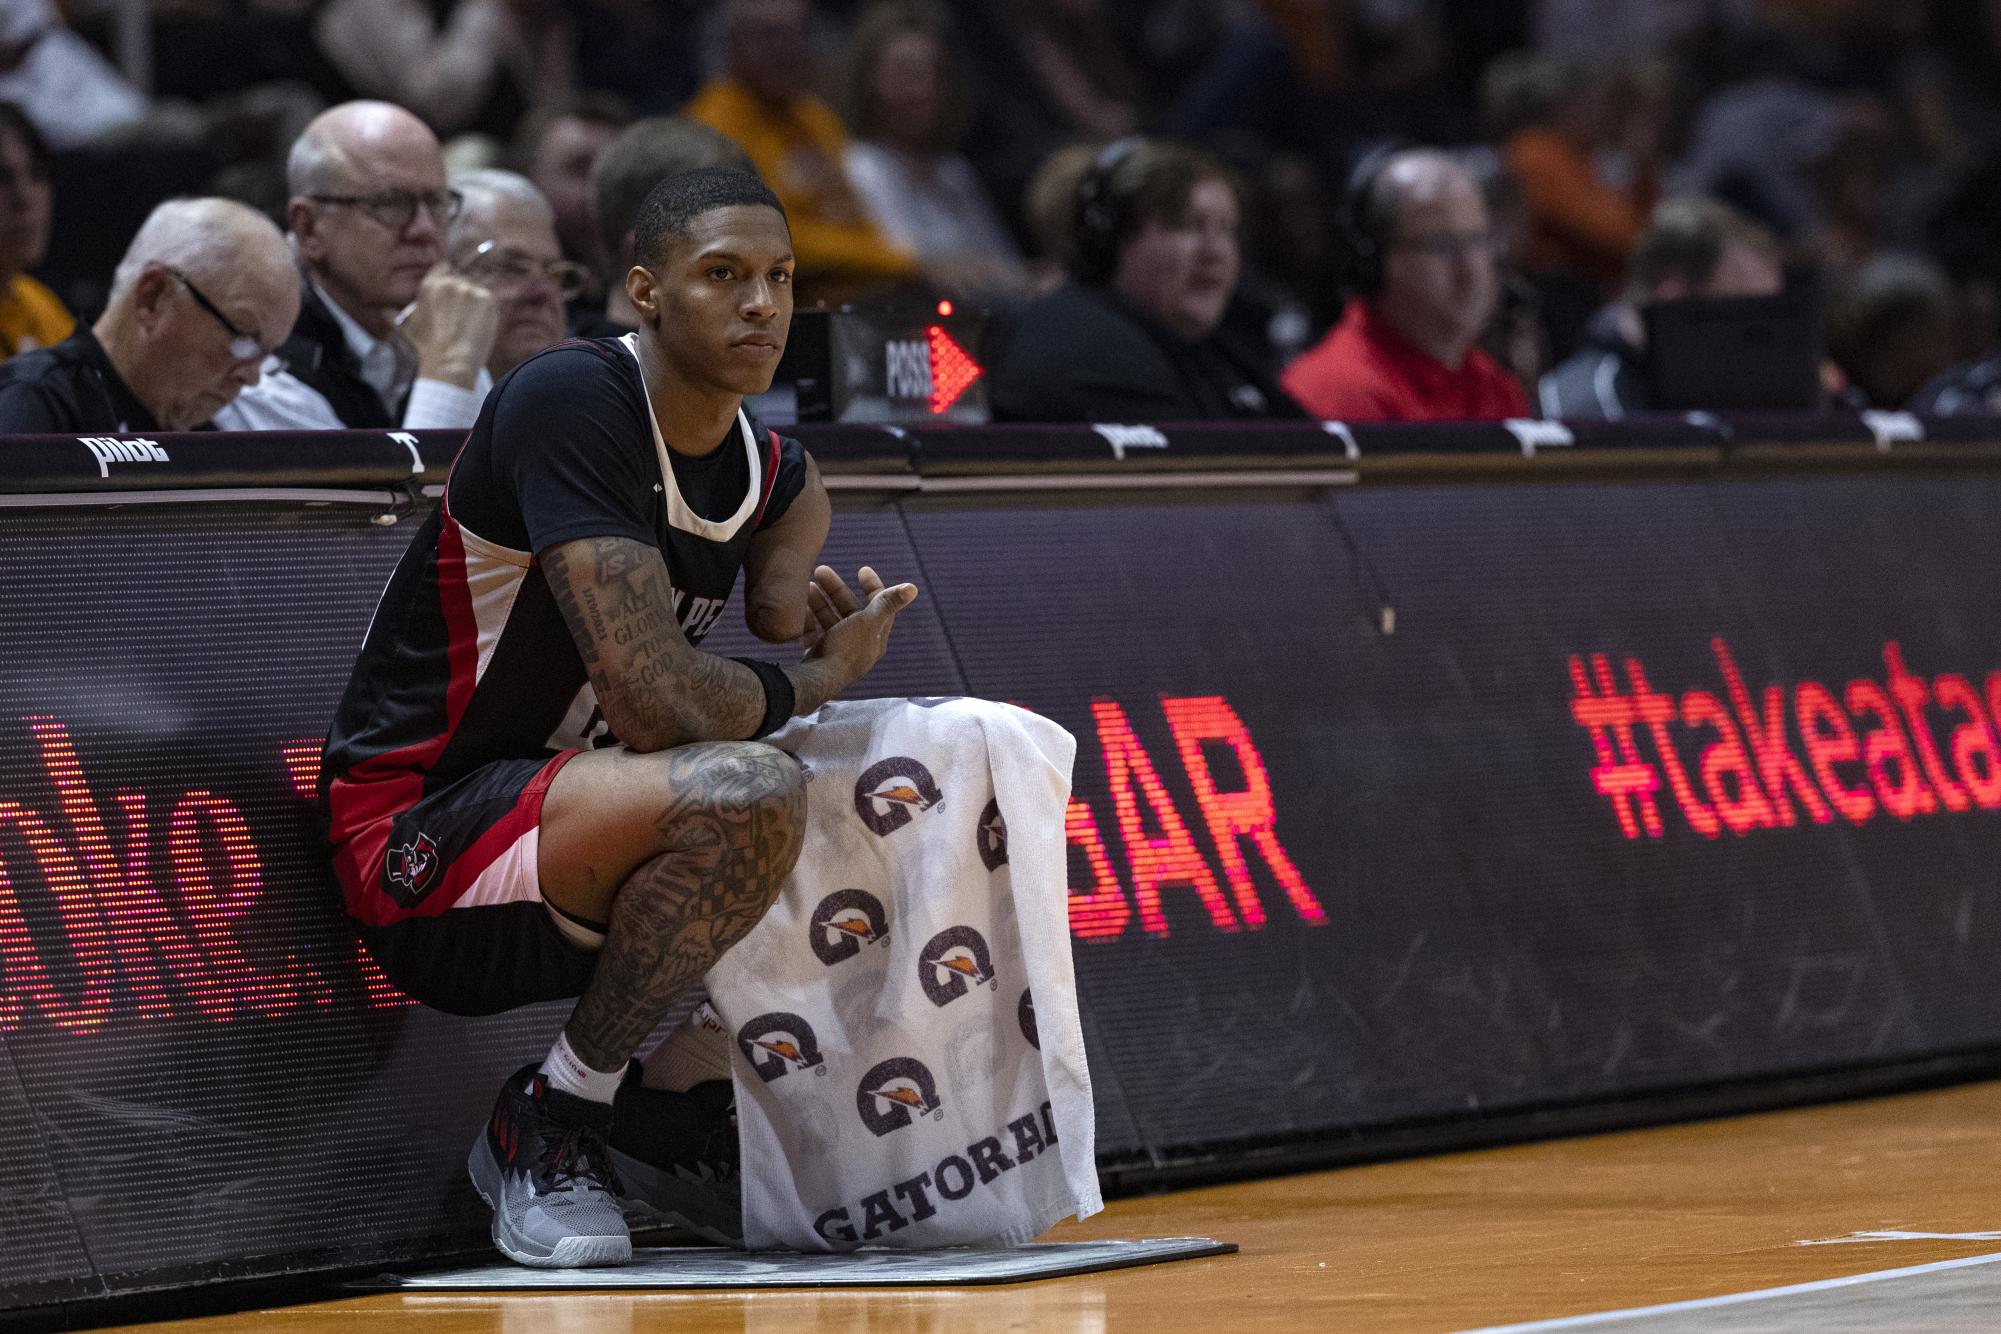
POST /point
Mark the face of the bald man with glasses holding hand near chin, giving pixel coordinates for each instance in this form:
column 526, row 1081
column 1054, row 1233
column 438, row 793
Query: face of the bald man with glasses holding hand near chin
column 379, row 227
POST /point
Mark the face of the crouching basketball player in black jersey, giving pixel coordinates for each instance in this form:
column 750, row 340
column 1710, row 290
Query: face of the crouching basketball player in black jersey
column 723, row 299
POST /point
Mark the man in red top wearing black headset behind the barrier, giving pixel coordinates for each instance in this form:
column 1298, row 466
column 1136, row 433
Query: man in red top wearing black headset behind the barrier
column 1424, row 267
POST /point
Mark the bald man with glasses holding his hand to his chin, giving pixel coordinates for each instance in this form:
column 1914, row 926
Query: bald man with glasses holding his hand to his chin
column 387, row 337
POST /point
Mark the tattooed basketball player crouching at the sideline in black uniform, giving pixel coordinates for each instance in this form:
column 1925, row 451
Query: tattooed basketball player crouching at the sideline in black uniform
column 537, row 783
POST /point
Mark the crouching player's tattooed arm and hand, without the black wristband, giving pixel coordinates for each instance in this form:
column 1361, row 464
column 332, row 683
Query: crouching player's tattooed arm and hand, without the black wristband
column 659, row 691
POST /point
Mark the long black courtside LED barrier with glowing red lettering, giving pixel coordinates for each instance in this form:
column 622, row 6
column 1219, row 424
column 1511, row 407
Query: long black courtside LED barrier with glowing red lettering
column 1544, row 781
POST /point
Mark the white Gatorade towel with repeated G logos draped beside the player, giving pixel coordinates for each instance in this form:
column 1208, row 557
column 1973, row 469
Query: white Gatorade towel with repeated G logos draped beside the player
column 909, row 1061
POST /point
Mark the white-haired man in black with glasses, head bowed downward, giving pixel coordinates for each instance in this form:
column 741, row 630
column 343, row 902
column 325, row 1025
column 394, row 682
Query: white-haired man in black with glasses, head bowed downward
column 205, row 293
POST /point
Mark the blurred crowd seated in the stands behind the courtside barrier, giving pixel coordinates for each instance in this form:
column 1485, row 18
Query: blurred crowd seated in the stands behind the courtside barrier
column 365, row 213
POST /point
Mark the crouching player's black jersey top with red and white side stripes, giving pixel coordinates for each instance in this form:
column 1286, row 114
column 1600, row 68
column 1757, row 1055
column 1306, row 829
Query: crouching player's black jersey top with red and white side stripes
column 469, row 659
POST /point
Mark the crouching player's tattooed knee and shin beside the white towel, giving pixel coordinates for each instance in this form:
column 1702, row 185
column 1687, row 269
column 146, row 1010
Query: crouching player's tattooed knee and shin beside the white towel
column 731, row 833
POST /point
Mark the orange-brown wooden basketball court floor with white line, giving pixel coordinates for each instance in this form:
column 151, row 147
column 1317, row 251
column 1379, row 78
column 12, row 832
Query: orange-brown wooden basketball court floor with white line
column 1576, row 1233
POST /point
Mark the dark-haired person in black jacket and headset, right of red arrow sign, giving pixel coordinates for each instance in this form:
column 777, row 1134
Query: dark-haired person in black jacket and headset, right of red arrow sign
column 1136, row 335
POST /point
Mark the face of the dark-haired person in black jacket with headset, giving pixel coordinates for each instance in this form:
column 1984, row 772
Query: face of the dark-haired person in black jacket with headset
column 1184, row 271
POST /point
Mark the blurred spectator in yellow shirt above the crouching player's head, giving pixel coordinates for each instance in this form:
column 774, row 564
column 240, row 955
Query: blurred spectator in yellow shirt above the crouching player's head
column 767, row 107
